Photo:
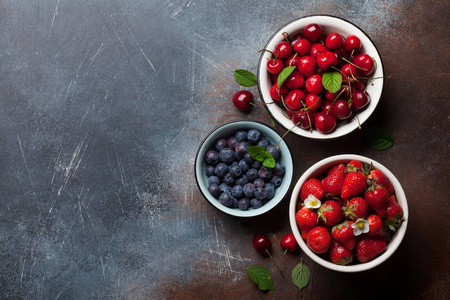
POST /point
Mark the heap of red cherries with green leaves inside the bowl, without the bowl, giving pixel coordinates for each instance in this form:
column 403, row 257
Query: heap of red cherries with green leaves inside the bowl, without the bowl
column 327, row 78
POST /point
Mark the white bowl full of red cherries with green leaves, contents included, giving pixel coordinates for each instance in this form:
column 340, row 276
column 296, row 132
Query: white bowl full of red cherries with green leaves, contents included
column 320, row 76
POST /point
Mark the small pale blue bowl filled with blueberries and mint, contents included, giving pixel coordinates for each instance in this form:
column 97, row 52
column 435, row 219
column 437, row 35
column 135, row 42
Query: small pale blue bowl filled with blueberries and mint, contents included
column 244, row 168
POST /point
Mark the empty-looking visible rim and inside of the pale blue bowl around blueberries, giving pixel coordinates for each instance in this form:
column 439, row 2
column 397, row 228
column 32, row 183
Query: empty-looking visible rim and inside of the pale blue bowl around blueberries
column 225, row 131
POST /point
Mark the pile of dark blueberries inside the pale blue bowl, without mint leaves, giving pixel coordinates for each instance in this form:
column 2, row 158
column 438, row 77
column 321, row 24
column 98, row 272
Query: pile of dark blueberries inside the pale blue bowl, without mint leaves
column 236, row 178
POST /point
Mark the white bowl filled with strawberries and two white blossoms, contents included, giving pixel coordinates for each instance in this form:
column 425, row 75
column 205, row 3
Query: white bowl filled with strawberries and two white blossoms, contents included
column 348, row 213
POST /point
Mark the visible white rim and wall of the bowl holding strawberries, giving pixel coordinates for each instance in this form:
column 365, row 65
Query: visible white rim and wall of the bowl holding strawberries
column 318, row 169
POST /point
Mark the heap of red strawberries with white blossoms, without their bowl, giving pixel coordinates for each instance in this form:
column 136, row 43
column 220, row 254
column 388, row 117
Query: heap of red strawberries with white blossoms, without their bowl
column 350, row 210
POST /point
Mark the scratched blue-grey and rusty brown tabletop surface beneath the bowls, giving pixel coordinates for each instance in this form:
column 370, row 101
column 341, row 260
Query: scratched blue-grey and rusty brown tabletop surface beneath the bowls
column 103, row 105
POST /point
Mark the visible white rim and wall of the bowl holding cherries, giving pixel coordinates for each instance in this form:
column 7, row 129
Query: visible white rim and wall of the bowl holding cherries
column 328, row 24
